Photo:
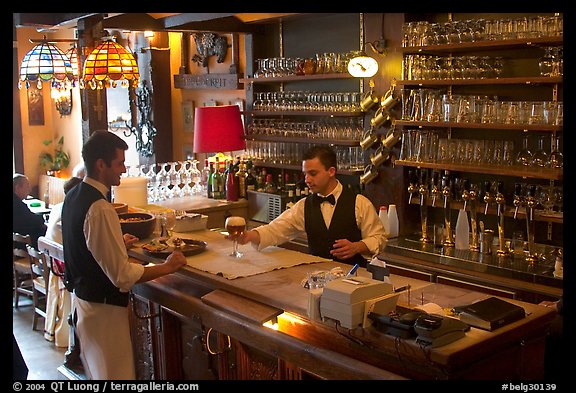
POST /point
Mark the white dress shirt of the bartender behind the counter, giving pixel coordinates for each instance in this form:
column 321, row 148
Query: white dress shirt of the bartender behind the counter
column 290, row 224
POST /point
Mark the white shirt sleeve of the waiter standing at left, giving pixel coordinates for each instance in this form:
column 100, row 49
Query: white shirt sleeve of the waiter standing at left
column 105, row 242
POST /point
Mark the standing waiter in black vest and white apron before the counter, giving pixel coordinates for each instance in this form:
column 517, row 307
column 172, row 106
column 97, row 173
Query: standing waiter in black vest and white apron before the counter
column 97, row 268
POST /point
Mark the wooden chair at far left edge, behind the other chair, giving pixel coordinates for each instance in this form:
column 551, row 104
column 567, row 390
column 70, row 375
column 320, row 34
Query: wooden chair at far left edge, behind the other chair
column 21, row 267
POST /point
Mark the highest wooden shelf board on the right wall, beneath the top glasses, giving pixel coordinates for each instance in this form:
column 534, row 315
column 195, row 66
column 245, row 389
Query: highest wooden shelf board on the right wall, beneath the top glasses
column 524, row 43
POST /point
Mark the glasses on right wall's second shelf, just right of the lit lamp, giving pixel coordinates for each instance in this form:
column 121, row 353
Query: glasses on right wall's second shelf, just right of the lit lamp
column 417, row 67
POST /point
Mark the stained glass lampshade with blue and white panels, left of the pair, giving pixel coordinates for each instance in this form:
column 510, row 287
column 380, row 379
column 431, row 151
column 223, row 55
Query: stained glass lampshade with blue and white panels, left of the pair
column 46, row 63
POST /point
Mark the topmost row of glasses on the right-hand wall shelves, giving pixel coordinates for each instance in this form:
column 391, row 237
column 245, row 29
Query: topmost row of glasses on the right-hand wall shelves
column 423, row 33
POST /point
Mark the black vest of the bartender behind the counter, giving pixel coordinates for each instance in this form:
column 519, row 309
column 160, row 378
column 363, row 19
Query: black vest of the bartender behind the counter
column 342, row 226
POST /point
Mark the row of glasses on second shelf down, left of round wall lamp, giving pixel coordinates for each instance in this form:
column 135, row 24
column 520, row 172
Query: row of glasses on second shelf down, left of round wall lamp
column 282, row 101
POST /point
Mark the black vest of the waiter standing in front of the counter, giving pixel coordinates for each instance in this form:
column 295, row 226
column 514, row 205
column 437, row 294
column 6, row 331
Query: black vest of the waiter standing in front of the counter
column 82, row 274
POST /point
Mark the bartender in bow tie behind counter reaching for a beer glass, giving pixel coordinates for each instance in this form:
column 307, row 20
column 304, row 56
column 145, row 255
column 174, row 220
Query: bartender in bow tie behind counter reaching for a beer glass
column 339, row 223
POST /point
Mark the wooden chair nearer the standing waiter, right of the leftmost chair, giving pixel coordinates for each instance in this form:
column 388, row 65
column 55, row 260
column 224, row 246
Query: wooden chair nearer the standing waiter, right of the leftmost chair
column 40, row 278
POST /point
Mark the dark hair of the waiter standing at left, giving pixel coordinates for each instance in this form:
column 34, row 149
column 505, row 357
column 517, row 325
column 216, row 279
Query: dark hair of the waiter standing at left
column 101, row 145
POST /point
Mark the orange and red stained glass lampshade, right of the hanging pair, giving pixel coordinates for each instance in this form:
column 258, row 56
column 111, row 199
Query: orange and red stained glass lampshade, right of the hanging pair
column 109, row 63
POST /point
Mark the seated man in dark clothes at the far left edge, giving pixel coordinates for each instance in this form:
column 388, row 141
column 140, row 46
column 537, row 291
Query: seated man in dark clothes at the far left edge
column 24, row 221
